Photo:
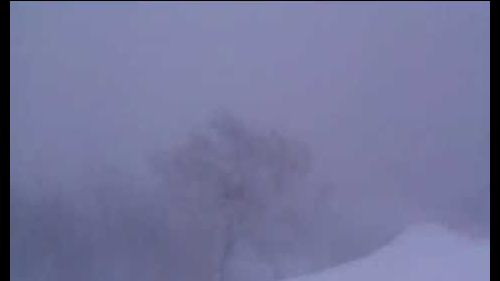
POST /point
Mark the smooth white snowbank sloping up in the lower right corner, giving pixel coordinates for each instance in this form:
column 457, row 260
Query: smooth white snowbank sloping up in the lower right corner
column 422, row 253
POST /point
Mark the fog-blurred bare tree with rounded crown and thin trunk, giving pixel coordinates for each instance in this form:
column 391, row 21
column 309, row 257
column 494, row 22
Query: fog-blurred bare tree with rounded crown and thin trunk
column 229, row 177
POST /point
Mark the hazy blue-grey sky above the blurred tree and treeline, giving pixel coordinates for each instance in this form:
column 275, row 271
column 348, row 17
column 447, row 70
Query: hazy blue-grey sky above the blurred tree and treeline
column 391, row 96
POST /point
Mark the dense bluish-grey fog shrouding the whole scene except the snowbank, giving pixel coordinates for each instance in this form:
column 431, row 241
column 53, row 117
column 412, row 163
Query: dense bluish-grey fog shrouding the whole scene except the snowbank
column 386, row 105
